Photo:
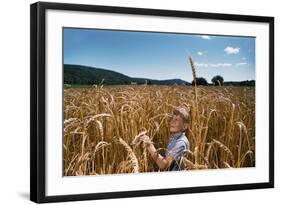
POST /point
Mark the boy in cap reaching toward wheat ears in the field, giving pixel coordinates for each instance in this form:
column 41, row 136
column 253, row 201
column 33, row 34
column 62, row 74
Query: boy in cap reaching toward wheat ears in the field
column 178, row 143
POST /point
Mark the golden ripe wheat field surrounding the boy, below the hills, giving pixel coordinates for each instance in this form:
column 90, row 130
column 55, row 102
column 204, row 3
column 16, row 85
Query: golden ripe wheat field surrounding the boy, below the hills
column 101, row 123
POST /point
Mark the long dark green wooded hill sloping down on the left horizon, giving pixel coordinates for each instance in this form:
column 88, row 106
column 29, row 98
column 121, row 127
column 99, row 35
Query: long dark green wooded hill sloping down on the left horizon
column 85, row 75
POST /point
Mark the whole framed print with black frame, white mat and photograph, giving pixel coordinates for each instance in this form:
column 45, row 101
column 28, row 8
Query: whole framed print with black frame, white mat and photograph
column 129, row 102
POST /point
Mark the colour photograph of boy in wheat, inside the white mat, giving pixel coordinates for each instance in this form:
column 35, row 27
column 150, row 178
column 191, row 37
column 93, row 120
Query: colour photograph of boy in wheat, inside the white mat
column 145, row 101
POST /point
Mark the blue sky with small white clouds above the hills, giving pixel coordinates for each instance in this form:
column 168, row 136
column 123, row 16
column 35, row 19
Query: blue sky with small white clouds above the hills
column 161, row 55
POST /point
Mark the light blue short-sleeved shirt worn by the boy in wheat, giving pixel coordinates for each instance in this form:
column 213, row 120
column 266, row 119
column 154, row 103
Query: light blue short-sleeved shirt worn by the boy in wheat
column 177, row 147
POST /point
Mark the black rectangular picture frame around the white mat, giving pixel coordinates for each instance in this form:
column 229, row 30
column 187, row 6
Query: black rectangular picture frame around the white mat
column 38, row 101
